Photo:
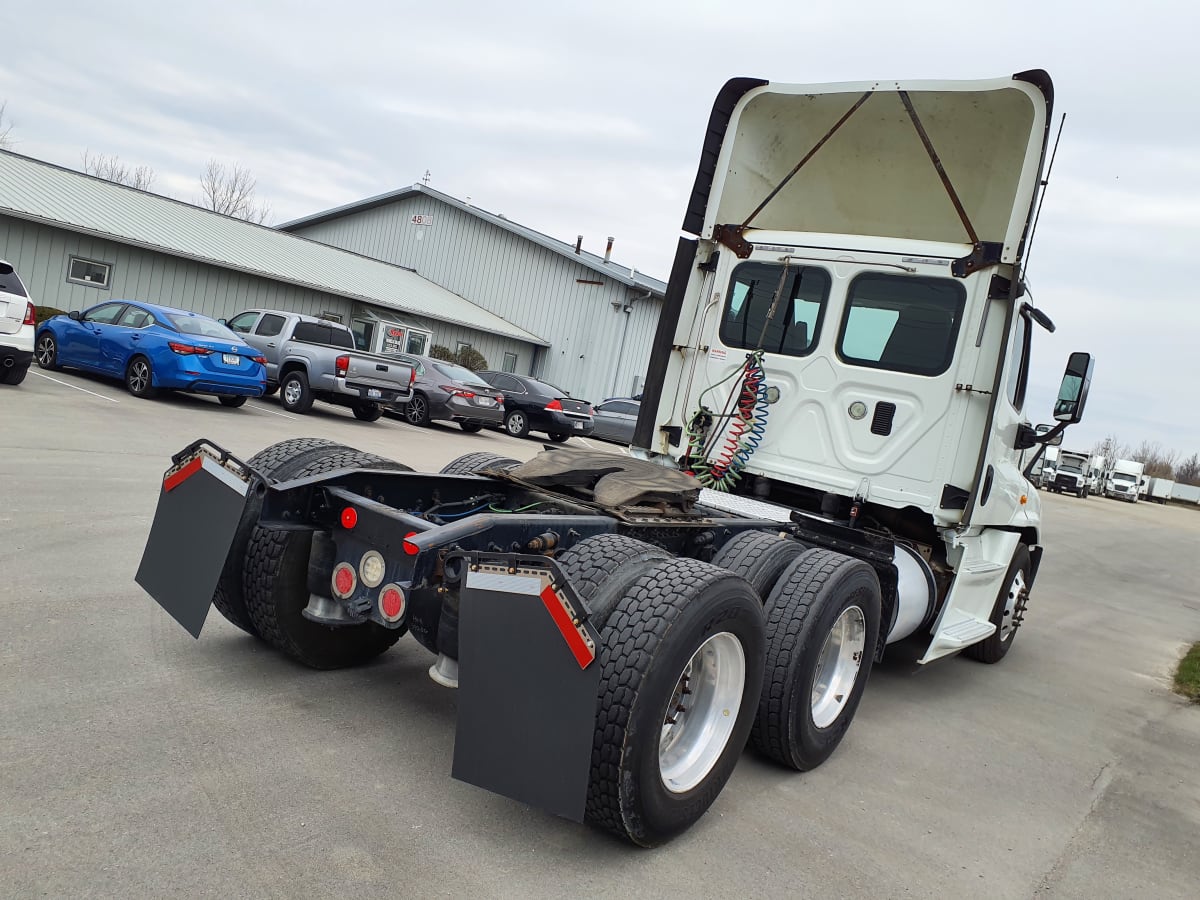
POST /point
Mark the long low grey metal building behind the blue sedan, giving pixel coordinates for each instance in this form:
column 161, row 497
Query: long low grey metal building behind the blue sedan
column 79, row 241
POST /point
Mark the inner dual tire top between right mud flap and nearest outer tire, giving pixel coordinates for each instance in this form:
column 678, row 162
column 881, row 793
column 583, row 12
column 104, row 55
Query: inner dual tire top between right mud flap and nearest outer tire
column 604, row 568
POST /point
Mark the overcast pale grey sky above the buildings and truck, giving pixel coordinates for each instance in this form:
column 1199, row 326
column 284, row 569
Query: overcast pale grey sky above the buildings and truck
column 589, row 119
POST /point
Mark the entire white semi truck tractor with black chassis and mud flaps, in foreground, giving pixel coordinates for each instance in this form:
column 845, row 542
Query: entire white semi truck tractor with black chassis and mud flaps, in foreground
column 830, row 442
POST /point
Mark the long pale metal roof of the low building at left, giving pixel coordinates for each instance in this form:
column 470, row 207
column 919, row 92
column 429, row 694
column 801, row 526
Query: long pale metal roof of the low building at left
column 63, row 199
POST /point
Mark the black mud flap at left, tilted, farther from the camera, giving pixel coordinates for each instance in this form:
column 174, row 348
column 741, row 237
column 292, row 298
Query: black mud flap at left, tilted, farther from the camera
column 200, row 507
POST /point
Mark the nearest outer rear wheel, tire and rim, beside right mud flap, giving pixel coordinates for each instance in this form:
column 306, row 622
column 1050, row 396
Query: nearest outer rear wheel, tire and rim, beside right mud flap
column 683, row 627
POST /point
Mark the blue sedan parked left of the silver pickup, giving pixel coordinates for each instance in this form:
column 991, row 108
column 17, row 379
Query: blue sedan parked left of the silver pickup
column 154, row 349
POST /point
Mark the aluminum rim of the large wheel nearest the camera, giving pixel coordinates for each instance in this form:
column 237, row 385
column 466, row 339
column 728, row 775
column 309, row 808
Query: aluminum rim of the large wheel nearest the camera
column 703, row 713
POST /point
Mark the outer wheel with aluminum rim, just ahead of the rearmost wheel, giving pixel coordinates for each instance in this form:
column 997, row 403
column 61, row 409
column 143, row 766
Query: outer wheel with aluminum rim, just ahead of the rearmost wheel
column 823, row 627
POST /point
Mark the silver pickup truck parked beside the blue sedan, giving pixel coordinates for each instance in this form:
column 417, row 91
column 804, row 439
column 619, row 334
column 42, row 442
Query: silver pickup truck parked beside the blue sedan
column 313, row 359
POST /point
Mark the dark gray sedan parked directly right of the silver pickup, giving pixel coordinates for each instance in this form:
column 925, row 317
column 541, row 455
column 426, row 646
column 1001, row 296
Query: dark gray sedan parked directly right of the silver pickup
column 445, row 392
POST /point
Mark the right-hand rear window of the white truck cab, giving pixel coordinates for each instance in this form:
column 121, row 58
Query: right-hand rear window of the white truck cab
column 903, row 325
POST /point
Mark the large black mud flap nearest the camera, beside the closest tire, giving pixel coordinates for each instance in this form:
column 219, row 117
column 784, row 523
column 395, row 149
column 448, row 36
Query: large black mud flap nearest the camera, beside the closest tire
column 527, row 685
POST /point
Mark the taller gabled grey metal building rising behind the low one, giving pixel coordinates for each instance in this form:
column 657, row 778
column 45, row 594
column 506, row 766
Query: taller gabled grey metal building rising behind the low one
column 597, row 316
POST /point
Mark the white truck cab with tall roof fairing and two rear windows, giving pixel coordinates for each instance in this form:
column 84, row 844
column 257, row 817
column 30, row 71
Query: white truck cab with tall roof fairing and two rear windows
column 850, row 338
